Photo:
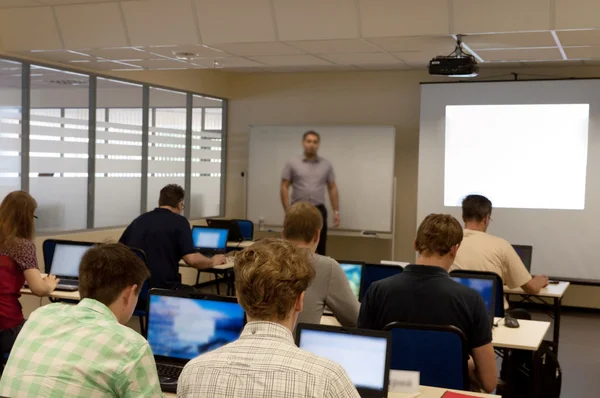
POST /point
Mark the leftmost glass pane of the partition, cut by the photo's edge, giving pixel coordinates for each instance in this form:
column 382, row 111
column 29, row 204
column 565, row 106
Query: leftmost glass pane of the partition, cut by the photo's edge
column 10, row 127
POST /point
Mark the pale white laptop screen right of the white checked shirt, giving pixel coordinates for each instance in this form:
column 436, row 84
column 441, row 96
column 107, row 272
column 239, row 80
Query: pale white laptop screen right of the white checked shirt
column 362, row 357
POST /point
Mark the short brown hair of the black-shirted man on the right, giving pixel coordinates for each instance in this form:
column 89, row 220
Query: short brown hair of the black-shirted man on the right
column 437, row 234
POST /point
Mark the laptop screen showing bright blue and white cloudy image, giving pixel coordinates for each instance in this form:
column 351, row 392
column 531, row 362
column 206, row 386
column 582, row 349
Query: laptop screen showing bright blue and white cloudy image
column 184, row 328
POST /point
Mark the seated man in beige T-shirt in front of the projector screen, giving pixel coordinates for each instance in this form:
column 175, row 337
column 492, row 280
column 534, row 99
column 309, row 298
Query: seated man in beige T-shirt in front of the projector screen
column 481, row 251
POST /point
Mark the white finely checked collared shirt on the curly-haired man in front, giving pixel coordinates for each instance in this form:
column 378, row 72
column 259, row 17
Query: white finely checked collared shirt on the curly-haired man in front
column 264, row 362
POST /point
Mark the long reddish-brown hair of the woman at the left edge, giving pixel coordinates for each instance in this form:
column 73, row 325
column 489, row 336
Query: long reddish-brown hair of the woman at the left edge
column 16, row 217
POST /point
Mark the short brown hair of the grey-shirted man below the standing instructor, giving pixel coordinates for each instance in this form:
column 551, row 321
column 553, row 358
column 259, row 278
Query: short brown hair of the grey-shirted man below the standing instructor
column 302, row 222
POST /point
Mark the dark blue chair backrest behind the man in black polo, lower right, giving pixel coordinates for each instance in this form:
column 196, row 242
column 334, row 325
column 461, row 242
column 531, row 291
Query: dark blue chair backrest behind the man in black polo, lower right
column 439, row 353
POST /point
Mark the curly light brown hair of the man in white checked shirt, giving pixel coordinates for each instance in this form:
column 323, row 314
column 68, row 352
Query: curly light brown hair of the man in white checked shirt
column 270, row 275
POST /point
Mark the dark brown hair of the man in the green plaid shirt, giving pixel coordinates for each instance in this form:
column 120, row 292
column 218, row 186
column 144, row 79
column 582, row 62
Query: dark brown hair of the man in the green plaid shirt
column 107, row 269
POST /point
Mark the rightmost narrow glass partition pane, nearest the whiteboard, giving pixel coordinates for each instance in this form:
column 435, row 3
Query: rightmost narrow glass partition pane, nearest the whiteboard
column 205, row 192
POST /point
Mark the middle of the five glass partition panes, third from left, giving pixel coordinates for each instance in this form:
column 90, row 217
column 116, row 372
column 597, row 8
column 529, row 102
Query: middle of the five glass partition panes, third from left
column 118, row 153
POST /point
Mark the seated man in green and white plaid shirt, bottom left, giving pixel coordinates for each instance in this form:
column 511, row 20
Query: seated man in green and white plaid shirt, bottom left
column 85, row 350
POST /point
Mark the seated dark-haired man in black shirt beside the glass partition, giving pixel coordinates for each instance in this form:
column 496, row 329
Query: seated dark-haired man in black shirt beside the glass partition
column 166, row 237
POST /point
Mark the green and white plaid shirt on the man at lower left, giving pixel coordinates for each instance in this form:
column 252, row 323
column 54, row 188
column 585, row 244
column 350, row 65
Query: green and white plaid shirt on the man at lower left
column 79, row 351
